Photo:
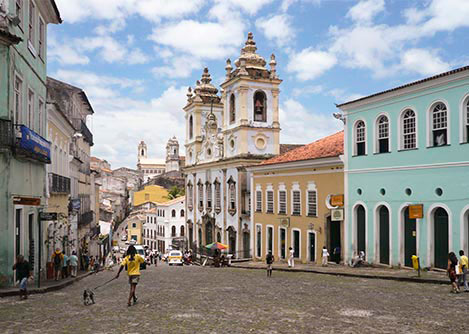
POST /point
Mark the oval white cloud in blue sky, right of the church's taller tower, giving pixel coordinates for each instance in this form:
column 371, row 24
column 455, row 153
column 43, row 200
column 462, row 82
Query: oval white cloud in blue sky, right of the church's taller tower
column 309, row 63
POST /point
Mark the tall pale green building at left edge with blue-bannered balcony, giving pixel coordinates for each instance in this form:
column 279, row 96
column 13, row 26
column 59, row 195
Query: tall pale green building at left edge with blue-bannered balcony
column 24, row 149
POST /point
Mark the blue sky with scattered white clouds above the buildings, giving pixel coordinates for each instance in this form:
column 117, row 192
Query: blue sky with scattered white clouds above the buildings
column 135, row 59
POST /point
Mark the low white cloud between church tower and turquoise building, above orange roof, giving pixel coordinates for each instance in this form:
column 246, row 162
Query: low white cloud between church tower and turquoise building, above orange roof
column 294, row 116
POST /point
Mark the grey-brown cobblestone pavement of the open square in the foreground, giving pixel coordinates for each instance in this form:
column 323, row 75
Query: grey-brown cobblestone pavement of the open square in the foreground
column 230, row 301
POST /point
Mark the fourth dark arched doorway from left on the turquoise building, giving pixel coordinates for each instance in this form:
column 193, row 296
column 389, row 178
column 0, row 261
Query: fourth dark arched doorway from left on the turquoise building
column 440, row 238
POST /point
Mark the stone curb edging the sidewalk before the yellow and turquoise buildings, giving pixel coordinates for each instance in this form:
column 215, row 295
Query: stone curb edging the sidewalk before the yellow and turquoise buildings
column 389, row 278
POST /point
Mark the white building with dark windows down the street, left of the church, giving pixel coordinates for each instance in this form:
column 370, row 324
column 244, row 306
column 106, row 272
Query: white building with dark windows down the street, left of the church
column 164, row 226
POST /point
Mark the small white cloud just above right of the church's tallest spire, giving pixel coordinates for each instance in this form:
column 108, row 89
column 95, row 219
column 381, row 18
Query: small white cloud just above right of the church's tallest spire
column 277, row 28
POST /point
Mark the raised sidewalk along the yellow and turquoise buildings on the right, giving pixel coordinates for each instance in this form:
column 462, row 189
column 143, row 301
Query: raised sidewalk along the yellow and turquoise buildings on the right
column 403, row 275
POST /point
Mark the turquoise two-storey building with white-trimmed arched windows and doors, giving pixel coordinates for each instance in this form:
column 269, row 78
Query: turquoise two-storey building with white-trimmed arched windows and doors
column 408, row 148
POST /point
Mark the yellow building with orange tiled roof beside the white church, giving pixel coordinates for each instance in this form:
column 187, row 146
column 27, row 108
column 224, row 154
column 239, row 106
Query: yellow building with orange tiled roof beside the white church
column 291, row 202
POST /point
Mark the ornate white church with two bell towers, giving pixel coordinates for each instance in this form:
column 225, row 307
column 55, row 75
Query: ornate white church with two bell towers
column 224, row 134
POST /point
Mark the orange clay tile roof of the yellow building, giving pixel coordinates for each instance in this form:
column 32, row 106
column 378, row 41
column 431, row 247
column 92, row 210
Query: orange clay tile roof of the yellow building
column 330, row 146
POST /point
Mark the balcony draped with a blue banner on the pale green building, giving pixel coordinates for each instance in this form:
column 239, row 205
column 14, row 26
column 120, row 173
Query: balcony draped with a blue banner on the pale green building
column 30, row 146
